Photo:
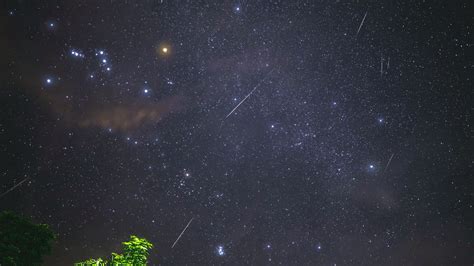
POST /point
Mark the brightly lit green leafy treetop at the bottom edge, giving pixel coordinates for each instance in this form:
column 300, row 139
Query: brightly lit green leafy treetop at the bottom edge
column 135, row 253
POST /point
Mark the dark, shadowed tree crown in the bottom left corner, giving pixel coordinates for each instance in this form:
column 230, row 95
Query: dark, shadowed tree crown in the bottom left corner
column 23, row 242
